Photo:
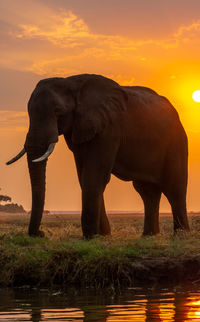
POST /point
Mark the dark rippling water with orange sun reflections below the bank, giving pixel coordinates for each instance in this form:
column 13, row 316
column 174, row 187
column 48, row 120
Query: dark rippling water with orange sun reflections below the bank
column 131, row 305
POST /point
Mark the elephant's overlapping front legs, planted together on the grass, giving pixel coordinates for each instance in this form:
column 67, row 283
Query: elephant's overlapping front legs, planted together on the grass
column 94, row 162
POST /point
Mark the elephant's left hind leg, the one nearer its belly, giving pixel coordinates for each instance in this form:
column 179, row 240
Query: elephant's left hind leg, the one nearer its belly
column 150, row 194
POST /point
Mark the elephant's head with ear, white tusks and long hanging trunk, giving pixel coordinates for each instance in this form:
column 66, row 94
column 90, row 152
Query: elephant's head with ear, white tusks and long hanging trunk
column 78, row 106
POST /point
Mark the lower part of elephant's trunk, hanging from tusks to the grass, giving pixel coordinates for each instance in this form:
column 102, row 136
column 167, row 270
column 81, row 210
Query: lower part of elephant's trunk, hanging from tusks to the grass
column 37, row 176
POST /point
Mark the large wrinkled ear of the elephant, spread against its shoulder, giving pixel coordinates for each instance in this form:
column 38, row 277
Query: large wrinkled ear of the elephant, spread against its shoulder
column 99, row 101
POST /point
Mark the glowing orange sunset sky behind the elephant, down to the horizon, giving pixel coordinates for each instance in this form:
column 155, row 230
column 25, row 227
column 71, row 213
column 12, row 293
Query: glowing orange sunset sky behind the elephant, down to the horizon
column 148, row 42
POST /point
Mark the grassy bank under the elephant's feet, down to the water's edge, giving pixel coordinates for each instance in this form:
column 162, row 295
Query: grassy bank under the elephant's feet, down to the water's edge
column 125, row 259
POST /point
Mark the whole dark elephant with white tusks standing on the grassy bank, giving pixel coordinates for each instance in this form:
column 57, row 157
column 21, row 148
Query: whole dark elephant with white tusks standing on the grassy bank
column 129, row 131
